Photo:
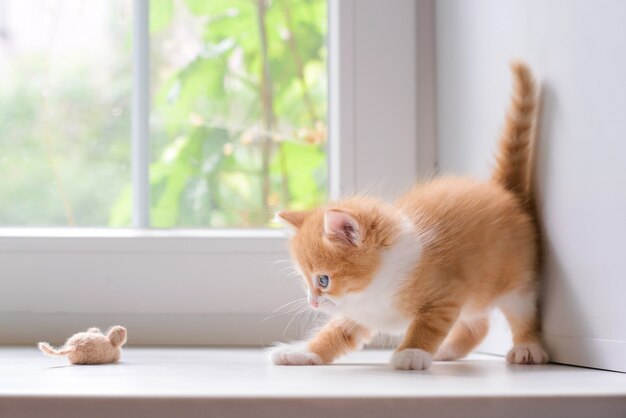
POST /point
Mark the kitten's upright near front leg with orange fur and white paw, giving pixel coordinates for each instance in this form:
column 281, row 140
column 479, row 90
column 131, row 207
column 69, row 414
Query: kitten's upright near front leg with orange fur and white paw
column 425, row 334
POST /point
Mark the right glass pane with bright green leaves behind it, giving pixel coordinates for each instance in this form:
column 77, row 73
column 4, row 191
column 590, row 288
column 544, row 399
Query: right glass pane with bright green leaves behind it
column 238, row 117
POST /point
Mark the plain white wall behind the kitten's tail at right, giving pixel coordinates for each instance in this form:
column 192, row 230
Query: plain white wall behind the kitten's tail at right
column 578, row 50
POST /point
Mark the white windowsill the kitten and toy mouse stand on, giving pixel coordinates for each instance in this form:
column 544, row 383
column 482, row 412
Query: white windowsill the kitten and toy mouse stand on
column 240, row 383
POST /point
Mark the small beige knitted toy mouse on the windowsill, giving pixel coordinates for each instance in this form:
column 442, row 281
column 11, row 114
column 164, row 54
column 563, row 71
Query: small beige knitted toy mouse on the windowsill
column 91, row 347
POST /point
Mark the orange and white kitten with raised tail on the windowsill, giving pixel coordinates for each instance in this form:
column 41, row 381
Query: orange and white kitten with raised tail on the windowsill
column 429, row 266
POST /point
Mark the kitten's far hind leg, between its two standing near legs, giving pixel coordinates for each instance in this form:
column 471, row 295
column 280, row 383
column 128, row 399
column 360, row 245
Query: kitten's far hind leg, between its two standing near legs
column 464, row 336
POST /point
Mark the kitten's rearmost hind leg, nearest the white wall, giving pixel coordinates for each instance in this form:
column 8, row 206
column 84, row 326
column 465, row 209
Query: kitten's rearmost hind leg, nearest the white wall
column 520, row 309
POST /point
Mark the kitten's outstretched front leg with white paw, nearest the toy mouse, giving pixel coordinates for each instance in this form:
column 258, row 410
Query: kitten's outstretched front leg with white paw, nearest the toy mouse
column 336, row 338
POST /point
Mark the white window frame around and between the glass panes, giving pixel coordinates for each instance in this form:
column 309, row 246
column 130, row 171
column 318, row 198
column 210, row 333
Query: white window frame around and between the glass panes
column 216, row 286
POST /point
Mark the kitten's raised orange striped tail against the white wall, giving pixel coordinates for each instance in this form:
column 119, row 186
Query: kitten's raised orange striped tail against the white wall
column 513, row 159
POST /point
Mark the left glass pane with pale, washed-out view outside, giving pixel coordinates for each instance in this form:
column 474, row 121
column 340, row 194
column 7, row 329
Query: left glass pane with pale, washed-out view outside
column 64, row 112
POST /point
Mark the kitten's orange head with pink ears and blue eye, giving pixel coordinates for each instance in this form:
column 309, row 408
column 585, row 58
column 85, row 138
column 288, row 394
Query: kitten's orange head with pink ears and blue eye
column 337, row 248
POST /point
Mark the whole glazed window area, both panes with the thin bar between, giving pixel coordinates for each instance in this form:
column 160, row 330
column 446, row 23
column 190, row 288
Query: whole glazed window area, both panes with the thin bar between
column 235, row 94
